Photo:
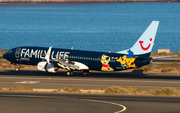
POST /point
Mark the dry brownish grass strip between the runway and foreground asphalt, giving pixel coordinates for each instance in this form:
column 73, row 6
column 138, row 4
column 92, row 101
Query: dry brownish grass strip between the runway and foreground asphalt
column 163, row 91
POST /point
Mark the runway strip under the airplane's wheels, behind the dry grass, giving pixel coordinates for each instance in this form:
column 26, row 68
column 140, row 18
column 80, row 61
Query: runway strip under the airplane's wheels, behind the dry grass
column 97, row 80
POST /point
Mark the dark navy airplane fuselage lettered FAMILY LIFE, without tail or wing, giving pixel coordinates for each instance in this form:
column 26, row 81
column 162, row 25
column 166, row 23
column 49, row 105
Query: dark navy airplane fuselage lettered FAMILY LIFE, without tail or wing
column 101, row 61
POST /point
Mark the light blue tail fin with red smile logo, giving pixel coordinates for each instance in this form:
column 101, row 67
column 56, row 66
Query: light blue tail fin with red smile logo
column 145, row 43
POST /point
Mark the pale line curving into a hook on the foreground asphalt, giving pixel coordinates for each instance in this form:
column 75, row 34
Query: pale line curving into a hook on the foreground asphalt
column 106, row 102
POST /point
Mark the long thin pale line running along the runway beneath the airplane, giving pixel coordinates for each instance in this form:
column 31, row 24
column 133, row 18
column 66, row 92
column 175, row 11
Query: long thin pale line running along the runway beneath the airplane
column 62, row 79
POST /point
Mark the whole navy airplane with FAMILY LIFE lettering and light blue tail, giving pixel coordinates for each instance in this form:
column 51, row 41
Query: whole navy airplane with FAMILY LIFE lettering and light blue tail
column 51, row 59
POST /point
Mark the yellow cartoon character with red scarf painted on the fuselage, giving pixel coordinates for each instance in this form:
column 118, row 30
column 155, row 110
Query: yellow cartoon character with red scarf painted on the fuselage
column 105, row 63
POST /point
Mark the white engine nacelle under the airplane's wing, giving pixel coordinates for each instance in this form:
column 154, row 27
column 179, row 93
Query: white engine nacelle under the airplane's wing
column 44, row 66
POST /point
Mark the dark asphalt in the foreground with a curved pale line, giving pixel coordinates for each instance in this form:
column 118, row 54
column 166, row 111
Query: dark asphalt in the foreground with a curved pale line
column 17, row 102
